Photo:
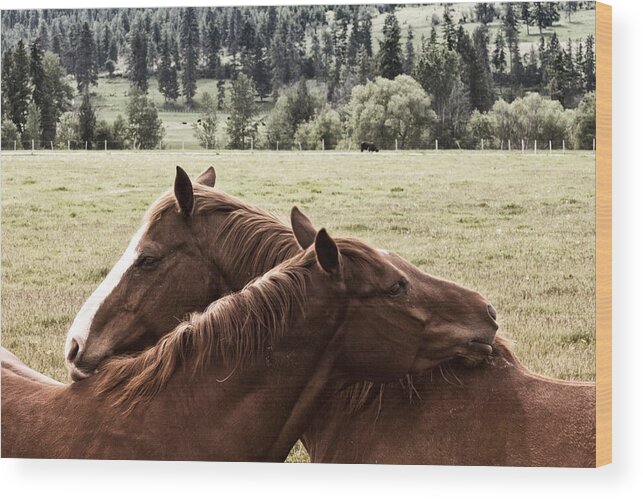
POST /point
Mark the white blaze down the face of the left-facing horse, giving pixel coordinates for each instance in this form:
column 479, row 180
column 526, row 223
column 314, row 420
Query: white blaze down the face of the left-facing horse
column 83, row 321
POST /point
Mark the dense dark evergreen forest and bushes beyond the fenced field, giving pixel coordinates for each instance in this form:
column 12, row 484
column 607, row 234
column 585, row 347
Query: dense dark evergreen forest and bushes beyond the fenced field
column 274, row 53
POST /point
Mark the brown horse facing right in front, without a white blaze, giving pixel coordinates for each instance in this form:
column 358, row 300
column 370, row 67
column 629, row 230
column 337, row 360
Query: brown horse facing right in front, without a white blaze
column 276, row 349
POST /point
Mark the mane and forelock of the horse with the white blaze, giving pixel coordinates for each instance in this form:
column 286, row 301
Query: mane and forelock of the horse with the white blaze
column 254, row 240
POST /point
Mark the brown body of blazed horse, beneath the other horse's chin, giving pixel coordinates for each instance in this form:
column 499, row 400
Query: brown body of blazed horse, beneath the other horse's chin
column 498, row 414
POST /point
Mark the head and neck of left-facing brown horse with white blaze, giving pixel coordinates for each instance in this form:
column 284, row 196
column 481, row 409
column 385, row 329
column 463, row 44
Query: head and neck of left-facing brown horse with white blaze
column 176, row 263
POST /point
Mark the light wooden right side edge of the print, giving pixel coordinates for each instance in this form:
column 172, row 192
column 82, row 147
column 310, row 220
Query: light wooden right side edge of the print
column 603, row 234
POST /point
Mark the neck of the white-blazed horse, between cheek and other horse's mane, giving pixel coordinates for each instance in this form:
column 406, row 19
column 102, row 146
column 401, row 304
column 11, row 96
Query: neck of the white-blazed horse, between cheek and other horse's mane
column 243, row 245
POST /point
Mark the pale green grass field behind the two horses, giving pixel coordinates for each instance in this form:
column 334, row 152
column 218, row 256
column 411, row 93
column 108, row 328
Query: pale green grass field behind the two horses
column 518, row 228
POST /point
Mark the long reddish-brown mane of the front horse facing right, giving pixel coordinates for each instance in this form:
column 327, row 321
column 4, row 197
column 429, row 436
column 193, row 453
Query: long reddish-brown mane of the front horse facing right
column 237, row 329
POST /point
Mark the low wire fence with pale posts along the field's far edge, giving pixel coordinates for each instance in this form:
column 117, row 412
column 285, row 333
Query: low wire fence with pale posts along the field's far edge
column 522, row 145
